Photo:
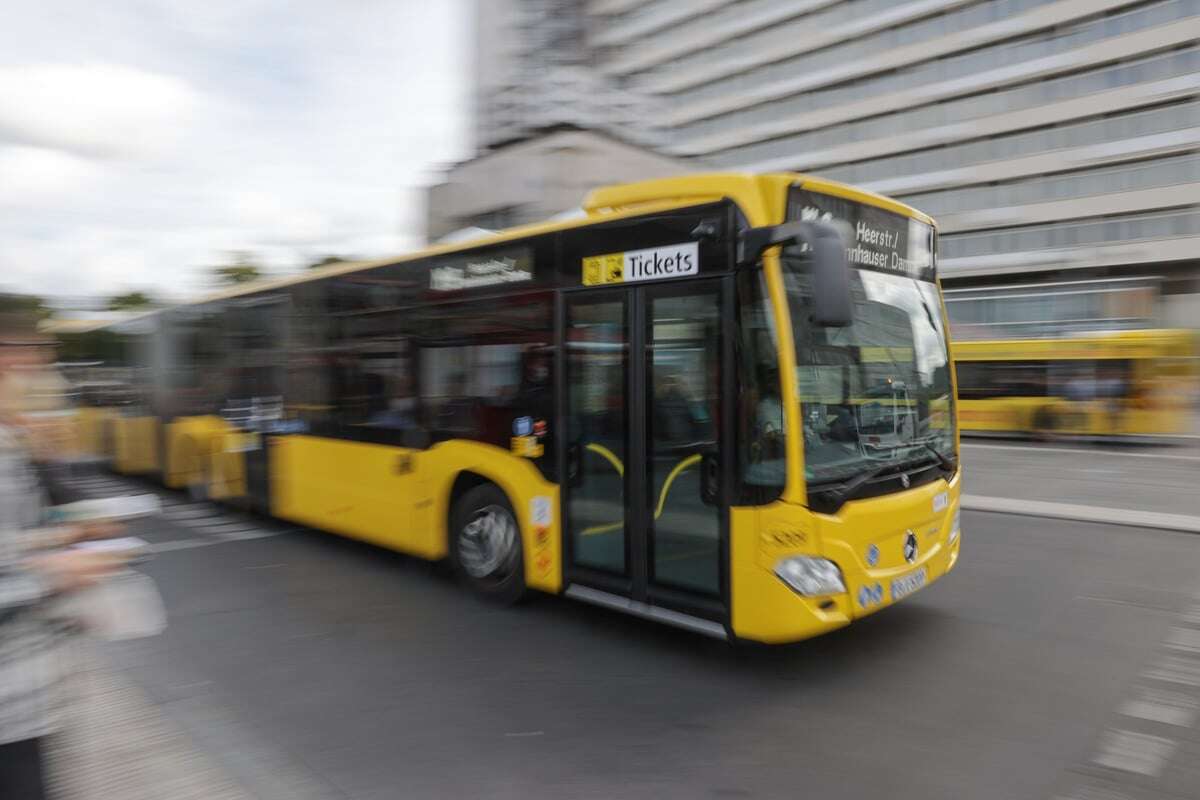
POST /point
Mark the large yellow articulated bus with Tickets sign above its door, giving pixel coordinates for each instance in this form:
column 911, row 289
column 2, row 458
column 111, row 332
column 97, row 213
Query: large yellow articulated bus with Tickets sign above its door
column 723, row 402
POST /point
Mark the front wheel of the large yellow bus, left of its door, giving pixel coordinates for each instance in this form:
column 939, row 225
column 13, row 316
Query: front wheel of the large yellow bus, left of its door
column 485, row 545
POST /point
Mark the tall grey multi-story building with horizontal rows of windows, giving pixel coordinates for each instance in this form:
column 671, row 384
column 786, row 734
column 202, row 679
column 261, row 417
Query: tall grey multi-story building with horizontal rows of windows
column 1054, row 140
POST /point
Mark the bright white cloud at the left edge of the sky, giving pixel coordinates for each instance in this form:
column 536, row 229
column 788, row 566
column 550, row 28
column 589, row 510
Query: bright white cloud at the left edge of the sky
column 103, row 111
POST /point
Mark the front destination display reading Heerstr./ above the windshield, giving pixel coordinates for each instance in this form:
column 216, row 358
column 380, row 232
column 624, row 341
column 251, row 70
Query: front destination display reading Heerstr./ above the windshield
column 879, row 240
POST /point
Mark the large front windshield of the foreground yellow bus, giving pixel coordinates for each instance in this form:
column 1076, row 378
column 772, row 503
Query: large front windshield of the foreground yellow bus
column 877, row 394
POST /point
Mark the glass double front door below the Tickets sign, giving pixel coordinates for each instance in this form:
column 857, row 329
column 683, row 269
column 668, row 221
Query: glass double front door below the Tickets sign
column 645, row 510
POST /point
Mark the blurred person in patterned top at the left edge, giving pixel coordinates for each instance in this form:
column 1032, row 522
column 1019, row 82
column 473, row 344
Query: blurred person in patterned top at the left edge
column 37, row 572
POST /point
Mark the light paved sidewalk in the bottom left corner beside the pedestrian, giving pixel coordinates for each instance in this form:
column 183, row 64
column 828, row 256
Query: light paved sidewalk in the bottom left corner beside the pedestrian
column 119, row 747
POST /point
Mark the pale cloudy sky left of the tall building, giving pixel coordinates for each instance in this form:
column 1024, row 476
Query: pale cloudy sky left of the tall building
column 142, row 142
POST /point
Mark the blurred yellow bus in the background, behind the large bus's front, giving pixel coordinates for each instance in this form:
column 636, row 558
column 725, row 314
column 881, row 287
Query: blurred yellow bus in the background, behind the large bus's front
column 1117, row 384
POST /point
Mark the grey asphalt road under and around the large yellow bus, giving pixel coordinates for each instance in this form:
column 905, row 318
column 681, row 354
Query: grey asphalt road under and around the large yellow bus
column 1059, row 660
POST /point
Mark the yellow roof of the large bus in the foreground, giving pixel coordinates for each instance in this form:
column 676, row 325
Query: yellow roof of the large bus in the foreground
column 763, row 197
